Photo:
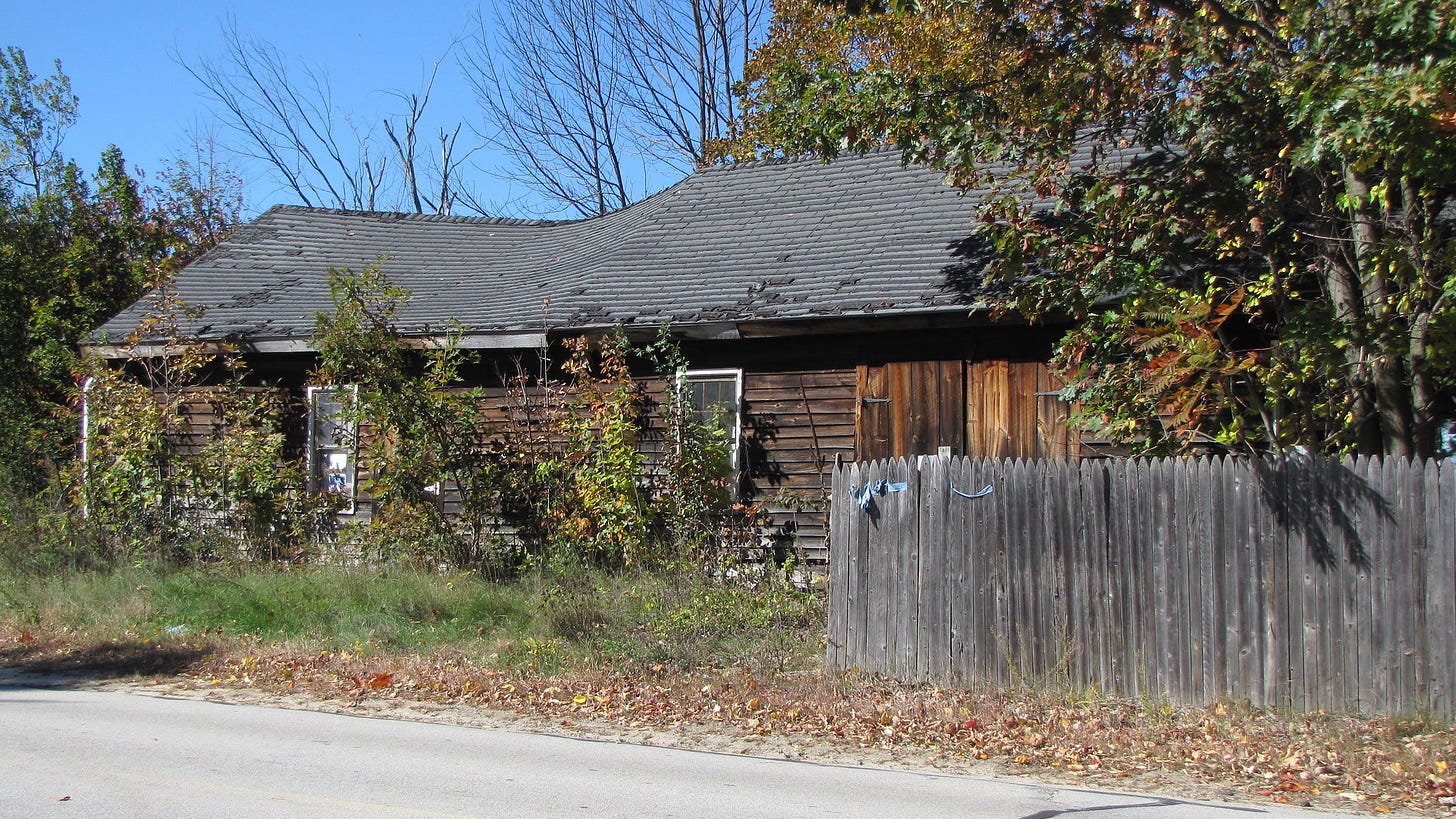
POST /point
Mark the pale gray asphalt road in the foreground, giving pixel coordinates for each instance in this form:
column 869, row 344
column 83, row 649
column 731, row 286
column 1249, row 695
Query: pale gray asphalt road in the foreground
column 78, row 753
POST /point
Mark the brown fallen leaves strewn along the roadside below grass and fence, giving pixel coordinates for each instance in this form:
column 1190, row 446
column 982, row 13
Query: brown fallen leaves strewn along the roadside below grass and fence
column 1330, row 760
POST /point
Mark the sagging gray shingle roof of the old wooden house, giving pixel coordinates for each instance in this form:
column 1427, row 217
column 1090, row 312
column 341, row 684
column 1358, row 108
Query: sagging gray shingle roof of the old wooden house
column 761, row 241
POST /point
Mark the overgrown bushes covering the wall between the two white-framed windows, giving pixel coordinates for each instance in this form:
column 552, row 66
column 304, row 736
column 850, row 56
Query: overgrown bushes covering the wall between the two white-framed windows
column 563, row 480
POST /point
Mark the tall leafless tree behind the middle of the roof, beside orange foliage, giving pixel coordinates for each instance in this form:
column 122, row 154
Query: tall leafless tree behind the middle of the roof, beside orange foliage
column 592, row 98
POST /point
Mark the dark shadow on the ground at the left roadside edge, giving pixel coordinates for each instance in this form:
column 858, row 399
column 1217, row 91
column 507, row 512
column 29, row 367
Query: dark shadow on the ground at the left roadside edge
column 58, row 665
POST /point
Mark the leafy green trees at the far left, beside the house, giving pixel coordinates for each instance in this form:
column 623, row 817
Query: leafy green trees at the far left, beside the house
column 74, row 251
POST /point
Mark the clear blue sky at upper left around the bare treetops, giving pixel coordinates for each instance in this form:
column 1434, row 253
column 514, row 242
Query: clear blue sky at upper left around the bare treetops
column 123, row 63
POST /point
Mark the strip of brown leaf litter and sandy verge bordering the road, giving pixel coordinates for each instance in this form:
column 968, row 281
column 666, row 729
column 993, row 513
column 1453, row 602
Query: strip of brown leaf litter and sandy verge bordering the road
column 1227, row 751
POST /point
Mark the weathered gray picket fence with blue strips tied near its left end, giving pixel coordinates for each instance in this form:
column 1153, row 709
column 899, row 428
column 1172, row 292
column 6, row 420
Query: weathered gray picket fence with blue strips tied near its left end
column 1288, row 582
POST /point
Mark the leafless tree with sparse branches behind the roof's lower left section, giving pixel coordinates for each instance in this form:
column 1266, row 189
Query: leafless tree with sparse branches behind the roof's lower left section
column 285, row 116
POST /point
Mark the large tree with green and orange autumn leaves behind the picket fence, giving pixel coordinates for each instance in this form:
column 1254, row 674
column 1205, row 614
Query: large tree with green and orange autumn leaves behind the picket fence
column 1256, row 197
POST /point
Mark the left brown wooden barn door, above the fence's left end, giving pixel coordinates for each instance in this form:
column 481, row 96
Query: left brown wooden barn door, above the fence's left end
column 911, row 409
